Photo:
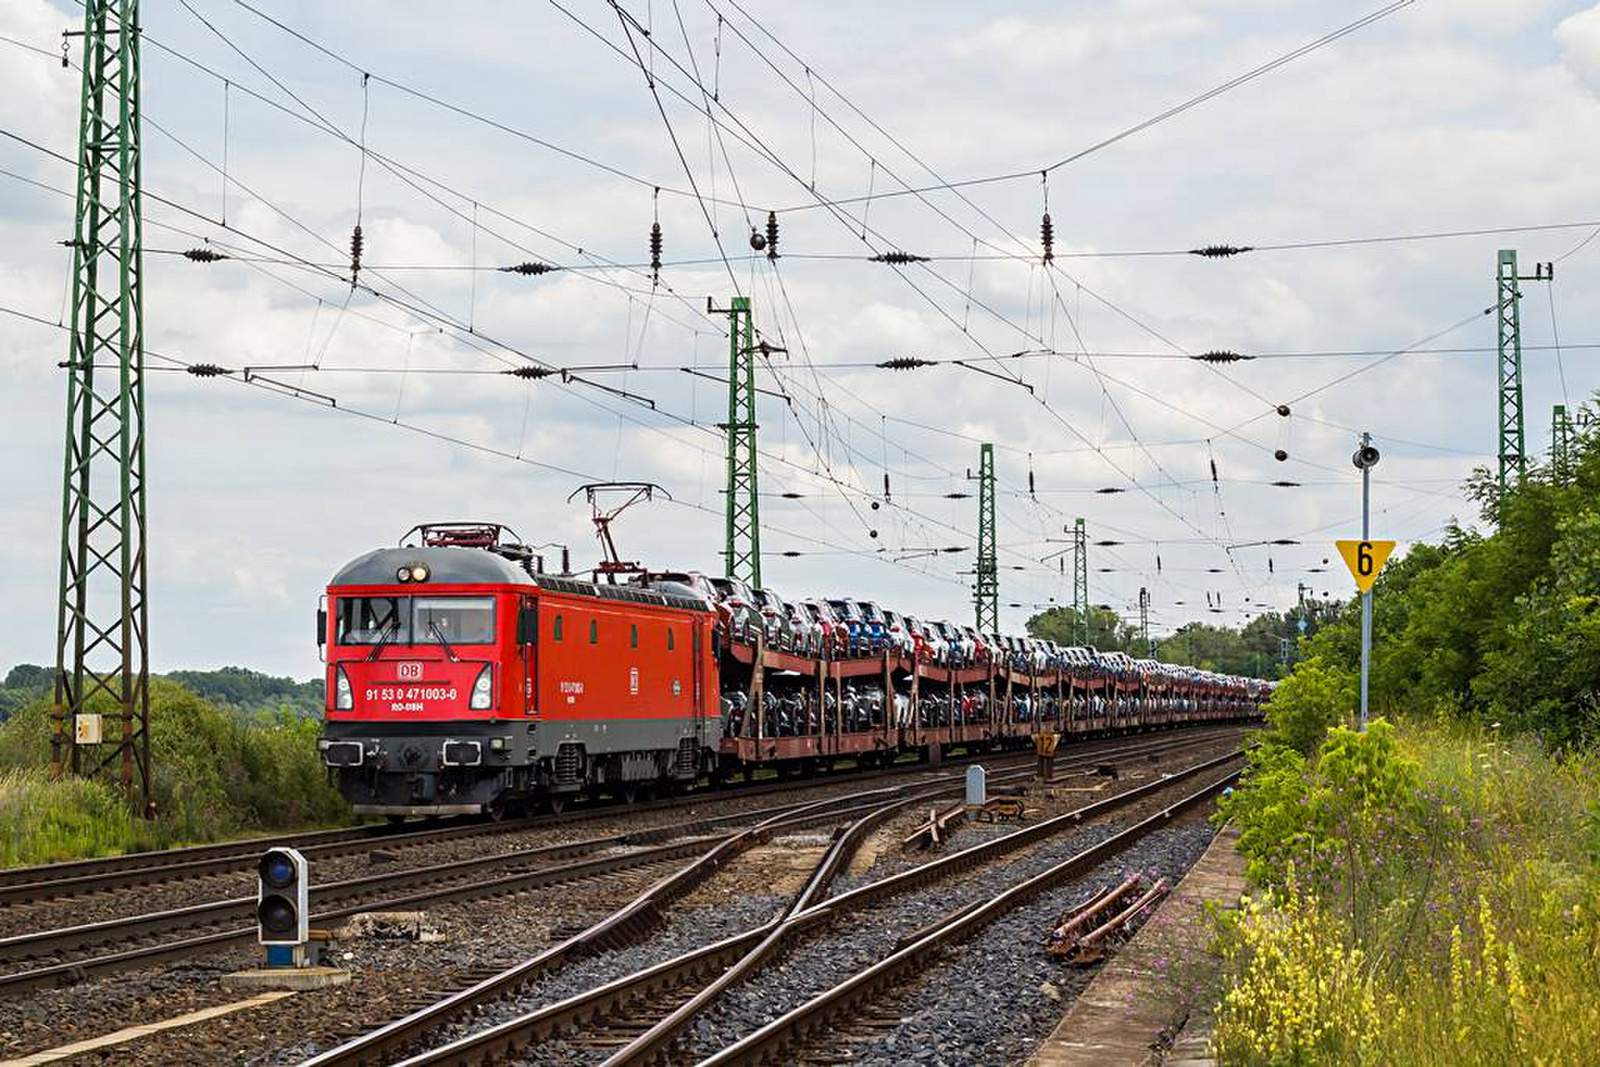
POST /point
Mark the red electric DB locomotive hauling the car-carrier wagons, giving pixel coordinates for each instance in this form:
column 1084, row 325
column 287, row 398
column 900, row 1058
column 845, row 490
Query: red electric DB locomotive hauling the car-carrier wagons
column 462, row 679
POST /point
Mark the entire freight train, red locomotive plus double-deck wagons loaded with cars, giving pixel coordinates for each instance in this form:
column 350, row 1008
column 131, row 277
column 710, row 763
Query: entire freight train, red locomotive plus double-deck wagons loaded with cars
column 463, row 679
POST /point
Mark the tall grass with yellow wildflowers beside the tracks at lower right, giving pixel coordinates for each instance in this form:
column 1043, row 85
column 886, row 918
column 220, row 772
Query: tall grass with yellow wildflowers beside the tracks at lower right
column 1458, row 924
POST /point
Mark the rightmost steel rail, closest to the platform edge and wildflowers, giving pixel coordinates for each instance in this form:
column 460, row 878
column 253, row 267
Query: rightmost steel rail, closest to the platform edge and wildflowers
column 782, row 1036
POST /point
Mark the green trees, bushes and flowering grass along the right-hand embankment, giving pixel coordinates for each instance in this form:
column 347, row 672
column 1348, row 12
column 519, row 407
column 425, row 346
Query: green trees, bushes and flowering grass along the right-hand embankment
column 1430, row 892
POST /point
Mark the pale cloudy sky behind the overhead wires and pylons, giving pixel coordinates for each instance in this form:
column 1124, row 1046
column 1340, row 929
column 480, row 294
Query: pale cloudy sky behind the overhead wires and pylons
column 497, row 137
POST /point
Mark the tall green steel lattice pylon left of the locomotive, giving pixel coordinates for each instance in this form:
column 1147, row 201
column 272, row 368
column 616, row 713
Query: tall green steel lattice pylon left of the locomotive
column 102, row 634
